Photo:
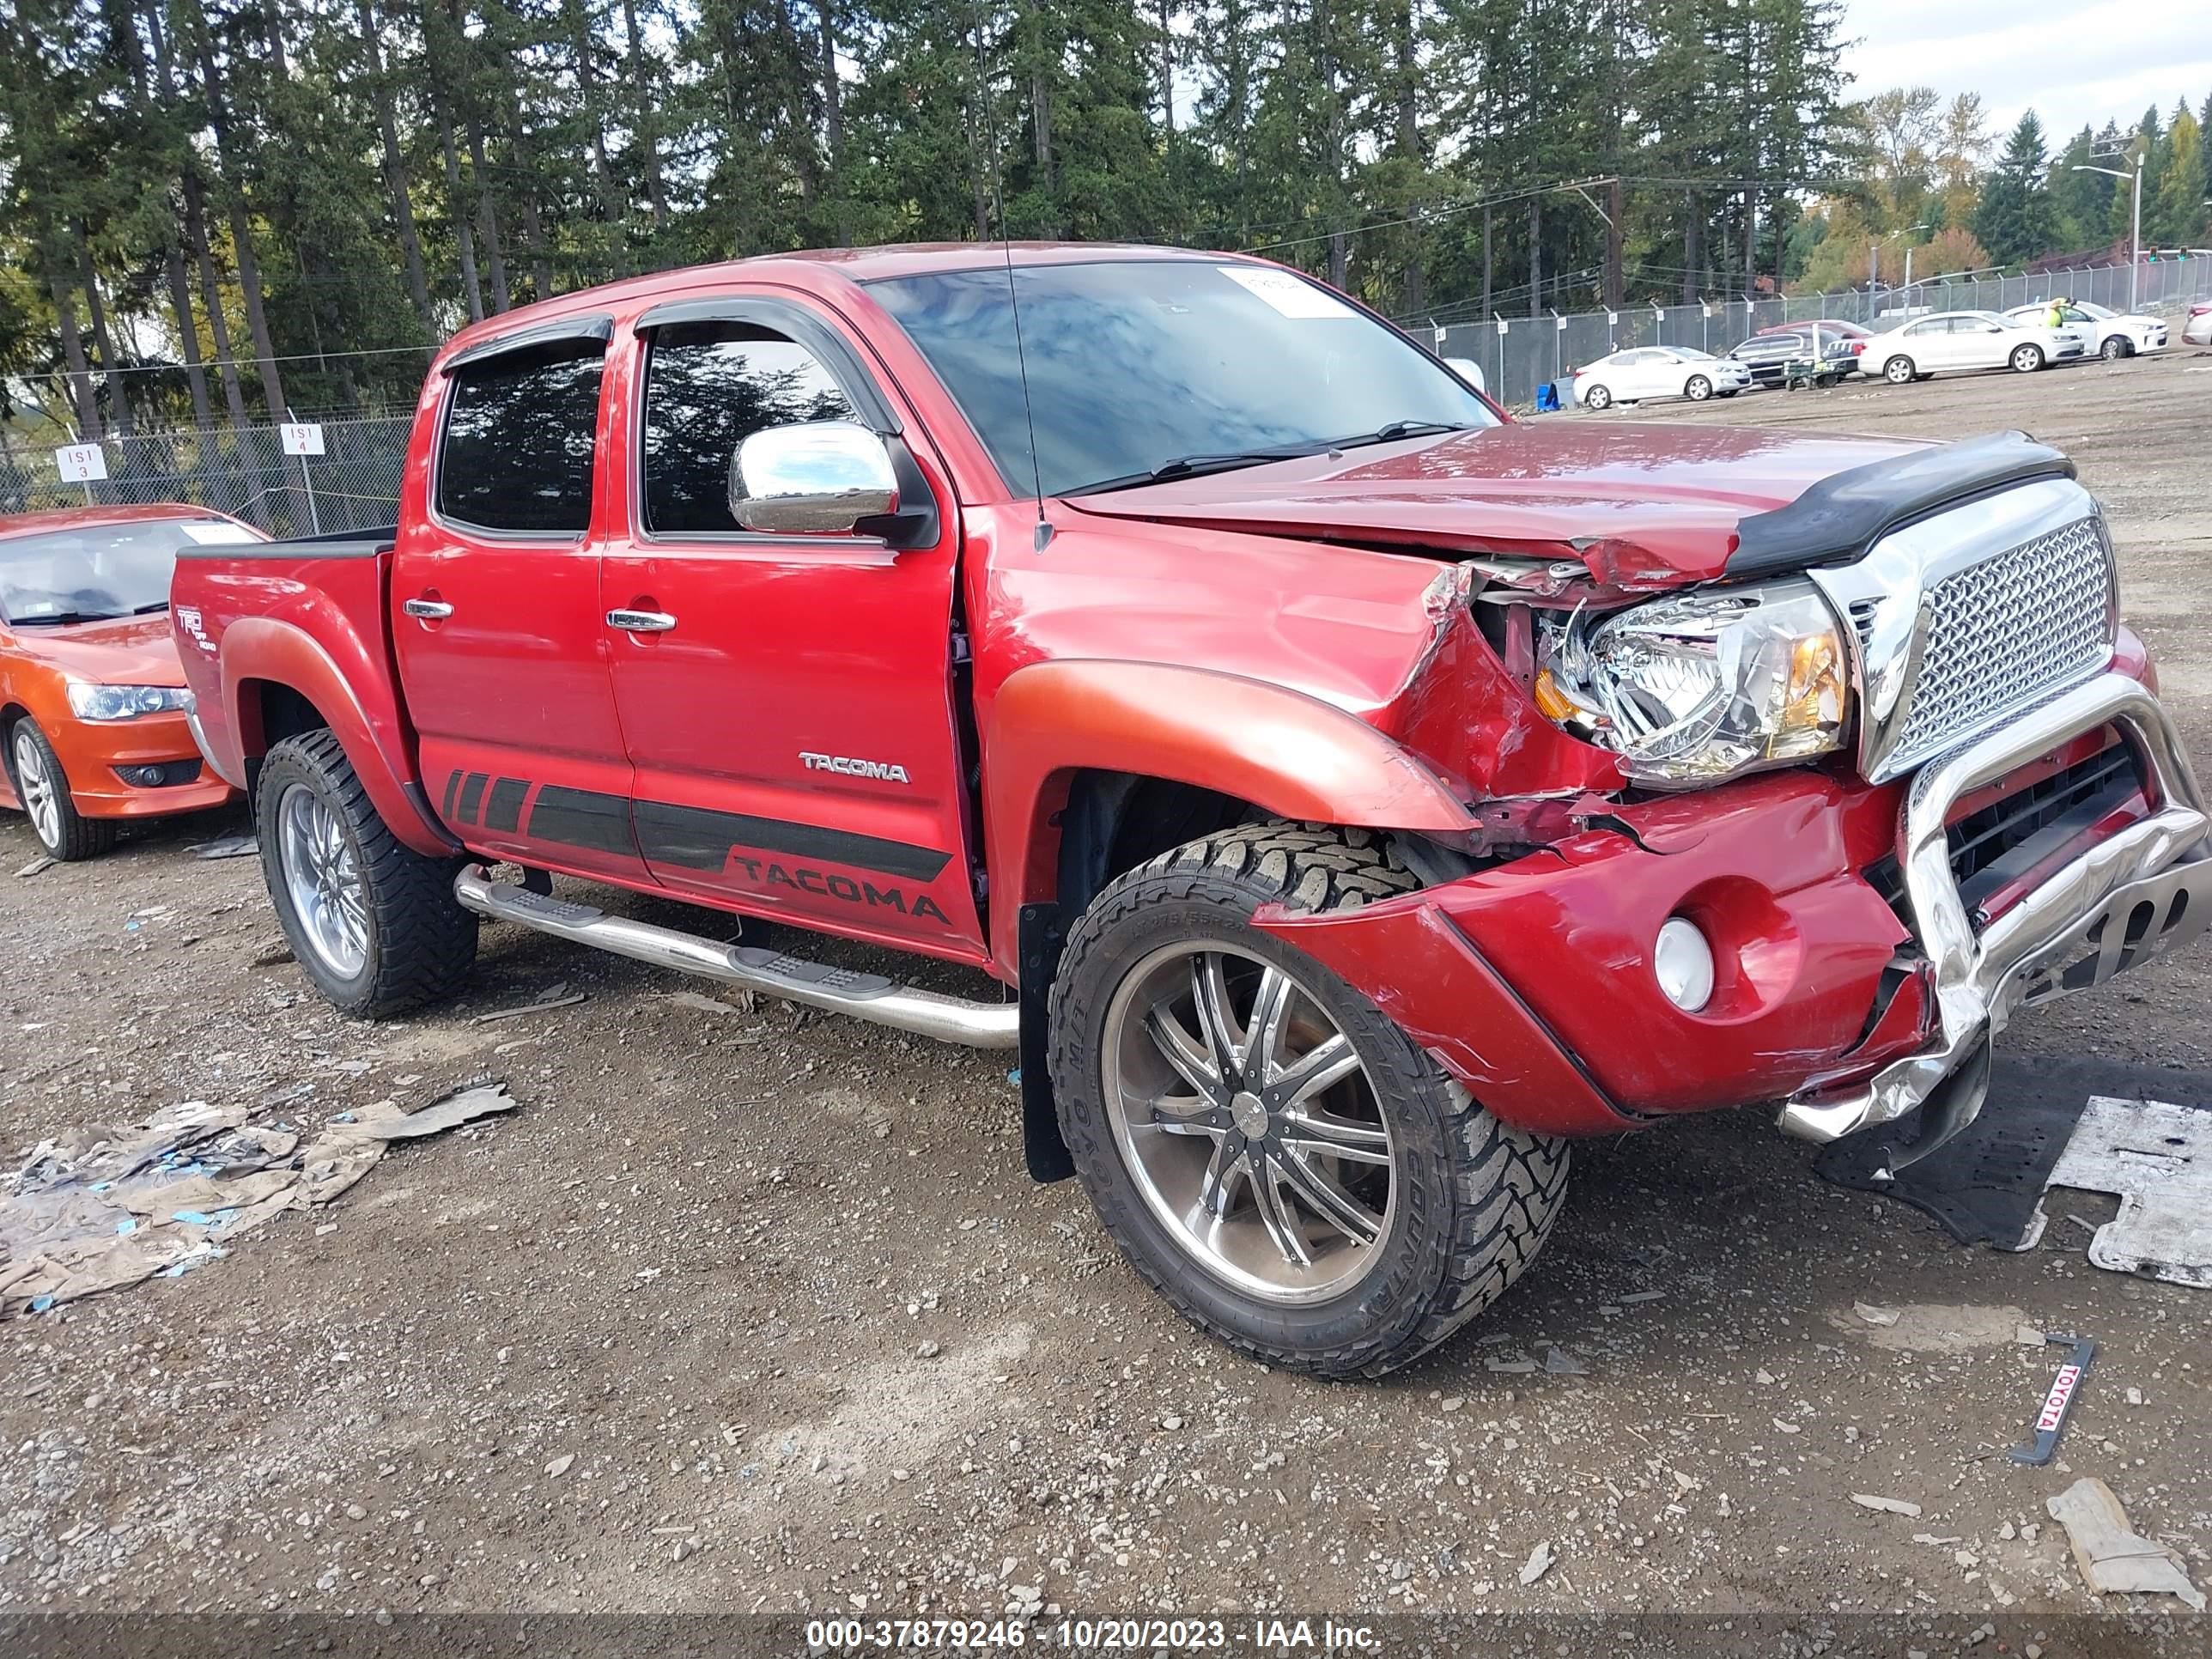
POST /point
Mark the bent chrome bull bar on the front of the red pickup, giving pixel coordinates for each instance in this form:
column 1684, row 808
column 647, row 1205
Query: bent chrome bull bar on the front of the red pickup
column 2120, row 904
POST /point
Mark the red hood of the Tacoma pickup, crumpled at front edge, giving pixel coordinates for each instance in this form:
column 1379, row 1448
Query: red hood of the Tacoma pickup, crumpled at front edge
column 1642, row 505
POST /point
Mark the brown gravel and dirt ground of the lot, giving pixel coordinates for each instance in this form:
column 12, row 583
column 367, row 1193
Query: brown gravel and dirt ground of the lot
column 813, row 1342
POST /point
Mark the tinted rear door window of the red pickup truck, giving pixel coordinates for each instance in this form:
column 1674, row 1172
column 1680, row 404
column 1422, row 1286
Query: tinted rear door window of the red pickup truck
column 519, row 441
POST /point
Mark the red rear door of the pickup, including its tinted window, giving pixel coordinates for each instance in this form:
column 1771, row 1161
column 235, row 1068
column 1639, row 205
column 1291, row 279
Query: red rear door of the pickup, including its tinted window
column 497, row 607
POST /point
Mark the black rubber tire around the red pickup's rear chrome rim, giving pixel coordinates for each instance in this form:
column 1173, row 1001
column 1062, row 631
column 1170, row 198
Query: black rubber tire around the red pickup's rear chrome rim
column 426, row 941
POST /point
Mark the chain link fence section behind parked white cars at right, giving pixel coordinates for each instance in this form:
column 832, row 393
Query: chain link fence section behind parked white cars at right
column 1523, row 353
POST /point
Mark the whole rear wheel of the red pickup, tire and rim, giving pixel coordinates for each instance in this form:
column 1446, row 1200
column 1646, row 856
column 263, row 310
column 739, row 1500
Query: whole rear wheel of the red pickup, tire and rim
column 373, row 921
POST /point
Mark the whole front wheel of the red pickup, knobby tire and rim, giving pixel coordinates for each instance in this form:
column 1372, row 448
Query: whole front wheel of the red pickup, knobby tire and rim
column 1273, row 1154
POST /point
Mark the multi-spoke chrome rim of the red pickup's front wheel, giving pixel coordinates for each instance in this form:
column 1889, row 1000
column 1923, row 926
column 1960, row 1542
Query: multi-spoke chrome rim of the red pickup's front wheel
column 1249, row 1123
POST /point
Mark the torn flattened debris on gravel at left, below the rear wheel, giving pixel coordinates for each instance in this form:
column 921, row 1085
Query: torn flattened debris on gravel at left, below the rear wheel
column 101, row 1209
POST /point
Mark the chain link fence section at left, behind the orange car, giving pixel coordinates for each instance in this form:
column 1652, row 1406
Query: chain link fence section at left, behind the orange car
column 353, row 486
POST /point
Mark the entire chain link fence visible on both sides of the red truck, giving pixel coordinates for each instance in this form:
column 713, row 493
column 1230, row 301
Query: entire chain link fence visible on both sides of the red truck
column 355, row 483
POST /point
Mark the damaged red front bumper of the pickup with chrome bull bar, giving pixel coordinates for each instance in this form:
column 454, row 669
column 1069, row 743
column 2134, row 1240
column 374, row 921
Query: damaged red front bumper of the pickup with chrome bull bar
column 1534, row 983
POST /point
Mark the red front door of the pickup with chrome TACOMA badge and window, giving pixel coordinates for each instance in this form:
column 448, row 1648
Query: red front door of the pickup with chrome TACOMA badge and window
column 791, row 707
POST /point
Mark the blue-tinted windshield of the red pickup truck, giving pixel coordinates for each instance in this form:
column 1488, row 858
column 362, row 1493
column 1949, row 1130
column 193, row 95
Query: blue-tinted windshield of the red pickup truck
column 1136, row 366
